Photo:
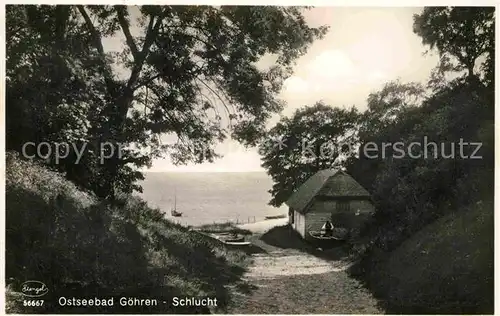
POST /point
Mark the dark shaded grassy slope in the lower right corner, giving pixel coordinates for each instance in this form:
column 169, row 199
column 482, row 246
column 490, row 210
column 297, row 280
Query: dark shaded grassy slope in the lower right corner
column 447, row 267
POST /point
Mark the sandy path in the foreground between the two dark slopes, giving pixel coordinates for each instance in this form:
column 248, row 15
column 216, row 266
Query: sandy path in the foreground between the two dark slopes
column 291, row 281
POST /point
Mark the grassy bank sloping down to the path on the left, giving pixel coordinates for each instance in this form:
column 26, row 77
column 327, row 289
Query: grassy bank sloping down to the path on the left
column 82, row 247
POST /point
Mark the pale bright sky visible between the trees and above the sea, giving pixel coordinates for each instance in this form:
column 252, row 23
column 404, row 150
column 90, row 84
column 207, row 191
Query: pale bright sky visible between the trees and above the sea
column 364, row 48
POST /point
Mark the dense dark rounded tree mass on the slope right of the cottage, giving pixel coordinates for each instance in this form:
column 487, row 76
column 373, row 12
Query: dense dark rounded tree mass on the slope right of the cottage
column 412, row 191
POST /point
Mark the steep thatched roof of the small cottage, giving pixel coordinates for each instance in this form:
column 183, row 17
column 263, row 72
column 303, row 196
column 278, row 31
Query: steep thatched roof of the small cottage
column 328, row 183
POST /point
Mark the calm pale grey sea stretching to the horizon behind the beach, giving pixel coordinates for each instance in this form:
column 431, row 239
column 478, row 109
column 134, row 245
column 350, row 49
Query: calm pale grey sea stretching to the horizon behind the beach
column 207, row 198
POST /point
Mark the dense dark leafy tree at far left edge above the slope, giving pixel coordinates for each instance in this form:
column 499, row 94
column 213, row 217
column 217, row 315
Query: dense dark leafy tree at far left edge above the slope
column 53, row 86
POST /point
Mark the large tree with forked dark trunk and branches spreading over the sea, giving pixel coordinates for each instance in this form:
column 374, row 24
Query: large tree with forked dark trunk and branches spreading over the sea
column 188, row 67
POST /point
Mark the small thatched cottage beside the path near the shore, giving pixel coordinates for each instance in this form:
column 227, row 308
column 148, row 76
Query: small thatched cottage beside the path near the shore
column 329, row 195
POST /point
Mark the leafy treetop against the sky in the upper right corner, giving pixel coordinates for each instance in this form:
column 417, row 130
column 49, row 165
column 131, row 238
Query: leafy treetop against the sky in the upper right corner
column 461, row 33
